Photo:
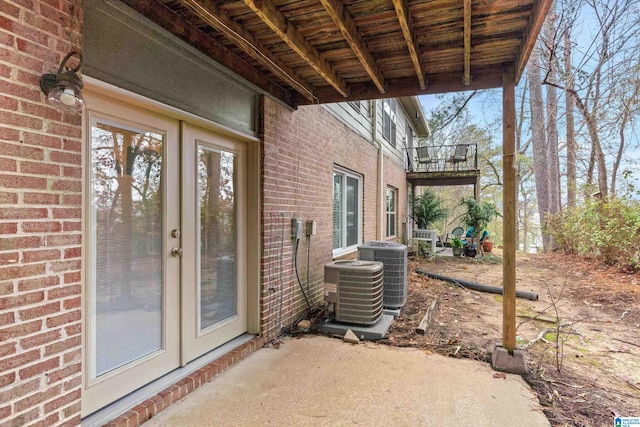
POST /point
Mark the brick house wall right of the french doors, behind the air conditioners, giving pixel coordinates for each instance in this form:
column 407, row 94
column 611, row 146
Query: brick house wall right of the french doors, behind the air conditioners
column 300, row 150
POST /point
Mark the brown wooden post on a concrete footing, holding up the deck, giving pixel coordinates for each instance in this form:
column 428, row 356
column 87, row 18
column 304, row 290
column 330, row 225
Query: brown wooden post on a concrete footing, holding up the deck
column 509, row 214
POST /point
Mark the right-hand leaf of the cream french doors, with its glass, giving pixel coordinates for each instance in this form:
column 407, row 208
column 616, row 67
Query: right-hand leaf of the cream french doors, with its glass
column 214, row 300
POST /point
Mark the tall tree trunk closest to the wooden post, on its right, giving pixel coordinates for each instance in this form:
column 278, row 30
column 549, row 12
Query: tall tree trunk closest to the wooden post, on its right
column 539, row 141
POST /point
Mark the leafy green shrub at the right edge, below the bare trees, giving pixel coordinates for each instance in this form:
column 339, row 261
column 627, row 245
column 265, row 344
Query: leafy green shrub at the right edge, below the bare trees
column 608, row 230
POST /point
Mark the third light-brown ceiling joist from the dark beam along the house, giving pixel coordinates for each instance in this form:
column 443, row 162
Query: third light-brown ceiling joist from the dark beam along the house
column 343, row 20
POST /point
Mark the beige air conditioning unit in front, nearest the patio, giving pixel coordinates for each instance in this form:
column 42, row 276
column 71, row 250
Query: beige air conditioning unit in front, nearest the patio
column 355, row 288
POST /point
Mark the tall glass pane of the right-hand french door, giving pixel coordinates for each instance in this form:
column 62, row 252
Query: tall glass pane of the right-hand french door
column 217, row 180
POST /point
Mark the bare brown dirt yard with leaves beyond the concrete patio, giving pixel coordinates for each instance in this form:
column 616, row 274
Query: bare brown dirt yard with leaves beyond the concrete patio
column 581, row 337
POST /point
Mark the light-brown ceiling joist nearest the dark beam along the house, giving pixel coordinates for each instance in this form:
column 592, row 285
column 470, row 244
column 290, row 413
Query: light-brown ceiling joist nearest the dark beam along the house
column 208, row 12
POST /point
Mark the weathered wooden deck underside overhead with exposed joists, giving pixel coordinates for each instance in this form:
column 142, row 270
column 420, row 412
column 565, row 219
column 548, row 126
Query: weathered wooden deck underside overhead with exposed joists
column 319, row 51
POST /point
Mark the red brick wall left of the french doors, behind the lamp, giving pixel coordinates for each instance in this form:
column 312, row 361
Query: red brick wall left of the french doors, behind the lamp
column 40, row 225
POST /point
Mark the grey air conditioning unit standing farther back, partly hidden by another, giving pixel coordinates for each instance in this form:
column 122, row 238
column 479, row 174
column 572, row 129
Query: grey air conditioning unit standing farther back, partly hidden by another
column 394, row 258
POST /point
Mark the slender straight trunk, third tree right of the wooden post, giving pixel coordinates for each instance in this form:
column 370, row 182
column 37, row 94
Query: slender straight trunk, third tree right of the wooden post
column 572, row 147
